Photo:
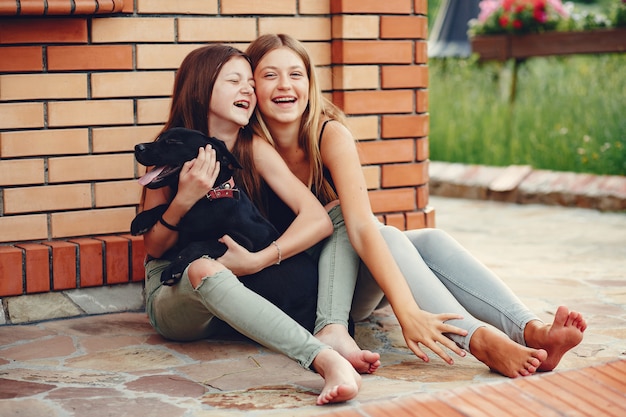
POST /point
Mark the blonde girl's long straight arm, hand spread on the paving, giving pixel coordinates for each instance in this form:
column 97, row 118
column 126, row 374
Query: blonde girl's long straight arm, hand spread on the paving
column 340, row 156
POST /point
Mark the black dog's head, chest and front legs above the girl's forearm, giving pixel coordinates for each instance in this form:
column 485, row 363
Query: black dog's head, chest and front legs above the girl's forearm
column 224, row 210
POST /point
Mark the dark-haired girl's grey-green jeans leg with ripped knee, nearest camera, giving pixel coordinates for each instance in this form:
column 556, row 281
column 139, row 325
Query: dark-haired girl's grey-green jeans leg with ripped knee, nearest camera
column 184, row 313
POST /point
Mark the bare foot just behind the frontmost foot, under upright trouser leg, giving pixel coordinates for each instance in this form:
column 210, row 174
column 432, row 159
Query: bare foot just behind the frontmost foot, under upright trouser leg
column 337, row 336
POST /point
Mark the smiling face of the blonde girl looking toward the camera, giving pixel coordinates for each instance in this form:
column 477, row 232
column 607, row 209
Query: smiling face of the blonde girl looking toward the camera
column 282, row 86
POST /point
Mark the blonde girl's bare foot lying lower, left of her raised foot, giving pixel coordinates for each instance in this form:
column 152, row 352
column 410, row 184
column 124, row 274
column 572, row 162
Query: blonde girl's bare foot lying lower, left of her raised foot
column 503, row 355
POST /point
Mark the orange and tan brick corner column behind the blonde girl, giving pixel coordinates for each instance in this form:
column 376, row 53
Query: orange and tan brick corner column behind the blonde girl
column 380, row 80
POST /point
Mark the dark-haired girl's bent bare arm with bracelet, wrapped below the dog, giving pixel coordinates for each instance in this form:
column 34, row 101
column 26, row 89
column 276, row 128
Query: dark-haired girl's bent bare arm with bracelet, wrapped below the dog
column 311, row 224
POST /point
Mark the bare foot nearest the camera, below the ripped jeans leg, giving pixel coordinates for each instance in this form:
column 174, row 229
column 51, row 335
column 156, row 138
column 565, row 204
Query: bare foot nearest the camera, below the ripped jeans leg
column 341, row 381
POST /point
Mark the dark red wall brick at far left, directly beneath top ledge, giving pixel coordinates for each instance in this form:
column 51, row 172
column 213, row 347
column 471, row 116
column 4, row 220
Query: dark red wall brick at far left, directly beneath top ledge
column 43, row 31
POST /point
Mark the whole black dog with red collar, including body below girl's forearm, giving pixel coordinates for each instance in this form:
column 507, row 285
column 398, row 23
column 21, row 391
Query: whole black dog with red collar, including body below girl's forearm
column 292, row 286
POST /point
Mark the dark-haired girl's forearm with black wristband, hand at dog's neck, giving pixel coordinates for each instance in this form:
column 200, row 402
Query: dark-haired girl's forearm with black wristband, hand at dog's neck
column 196, row 178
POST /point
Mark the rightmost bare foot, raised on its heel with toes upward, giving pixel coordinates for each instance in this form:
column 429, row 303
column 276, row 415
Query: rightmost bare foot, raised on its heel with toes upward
column 557, row 338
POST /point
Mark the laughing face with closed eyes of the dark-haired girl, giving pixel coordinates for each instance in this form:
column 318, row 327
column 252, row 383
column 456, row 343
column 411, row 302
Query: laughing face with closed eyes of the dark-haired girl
column 233, row 99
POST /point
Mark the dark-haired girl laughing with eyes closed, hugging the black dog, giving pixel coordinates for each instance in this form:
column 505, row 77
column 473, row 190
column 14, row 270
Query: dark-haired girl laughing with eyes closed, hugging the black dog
column 214, row 94
